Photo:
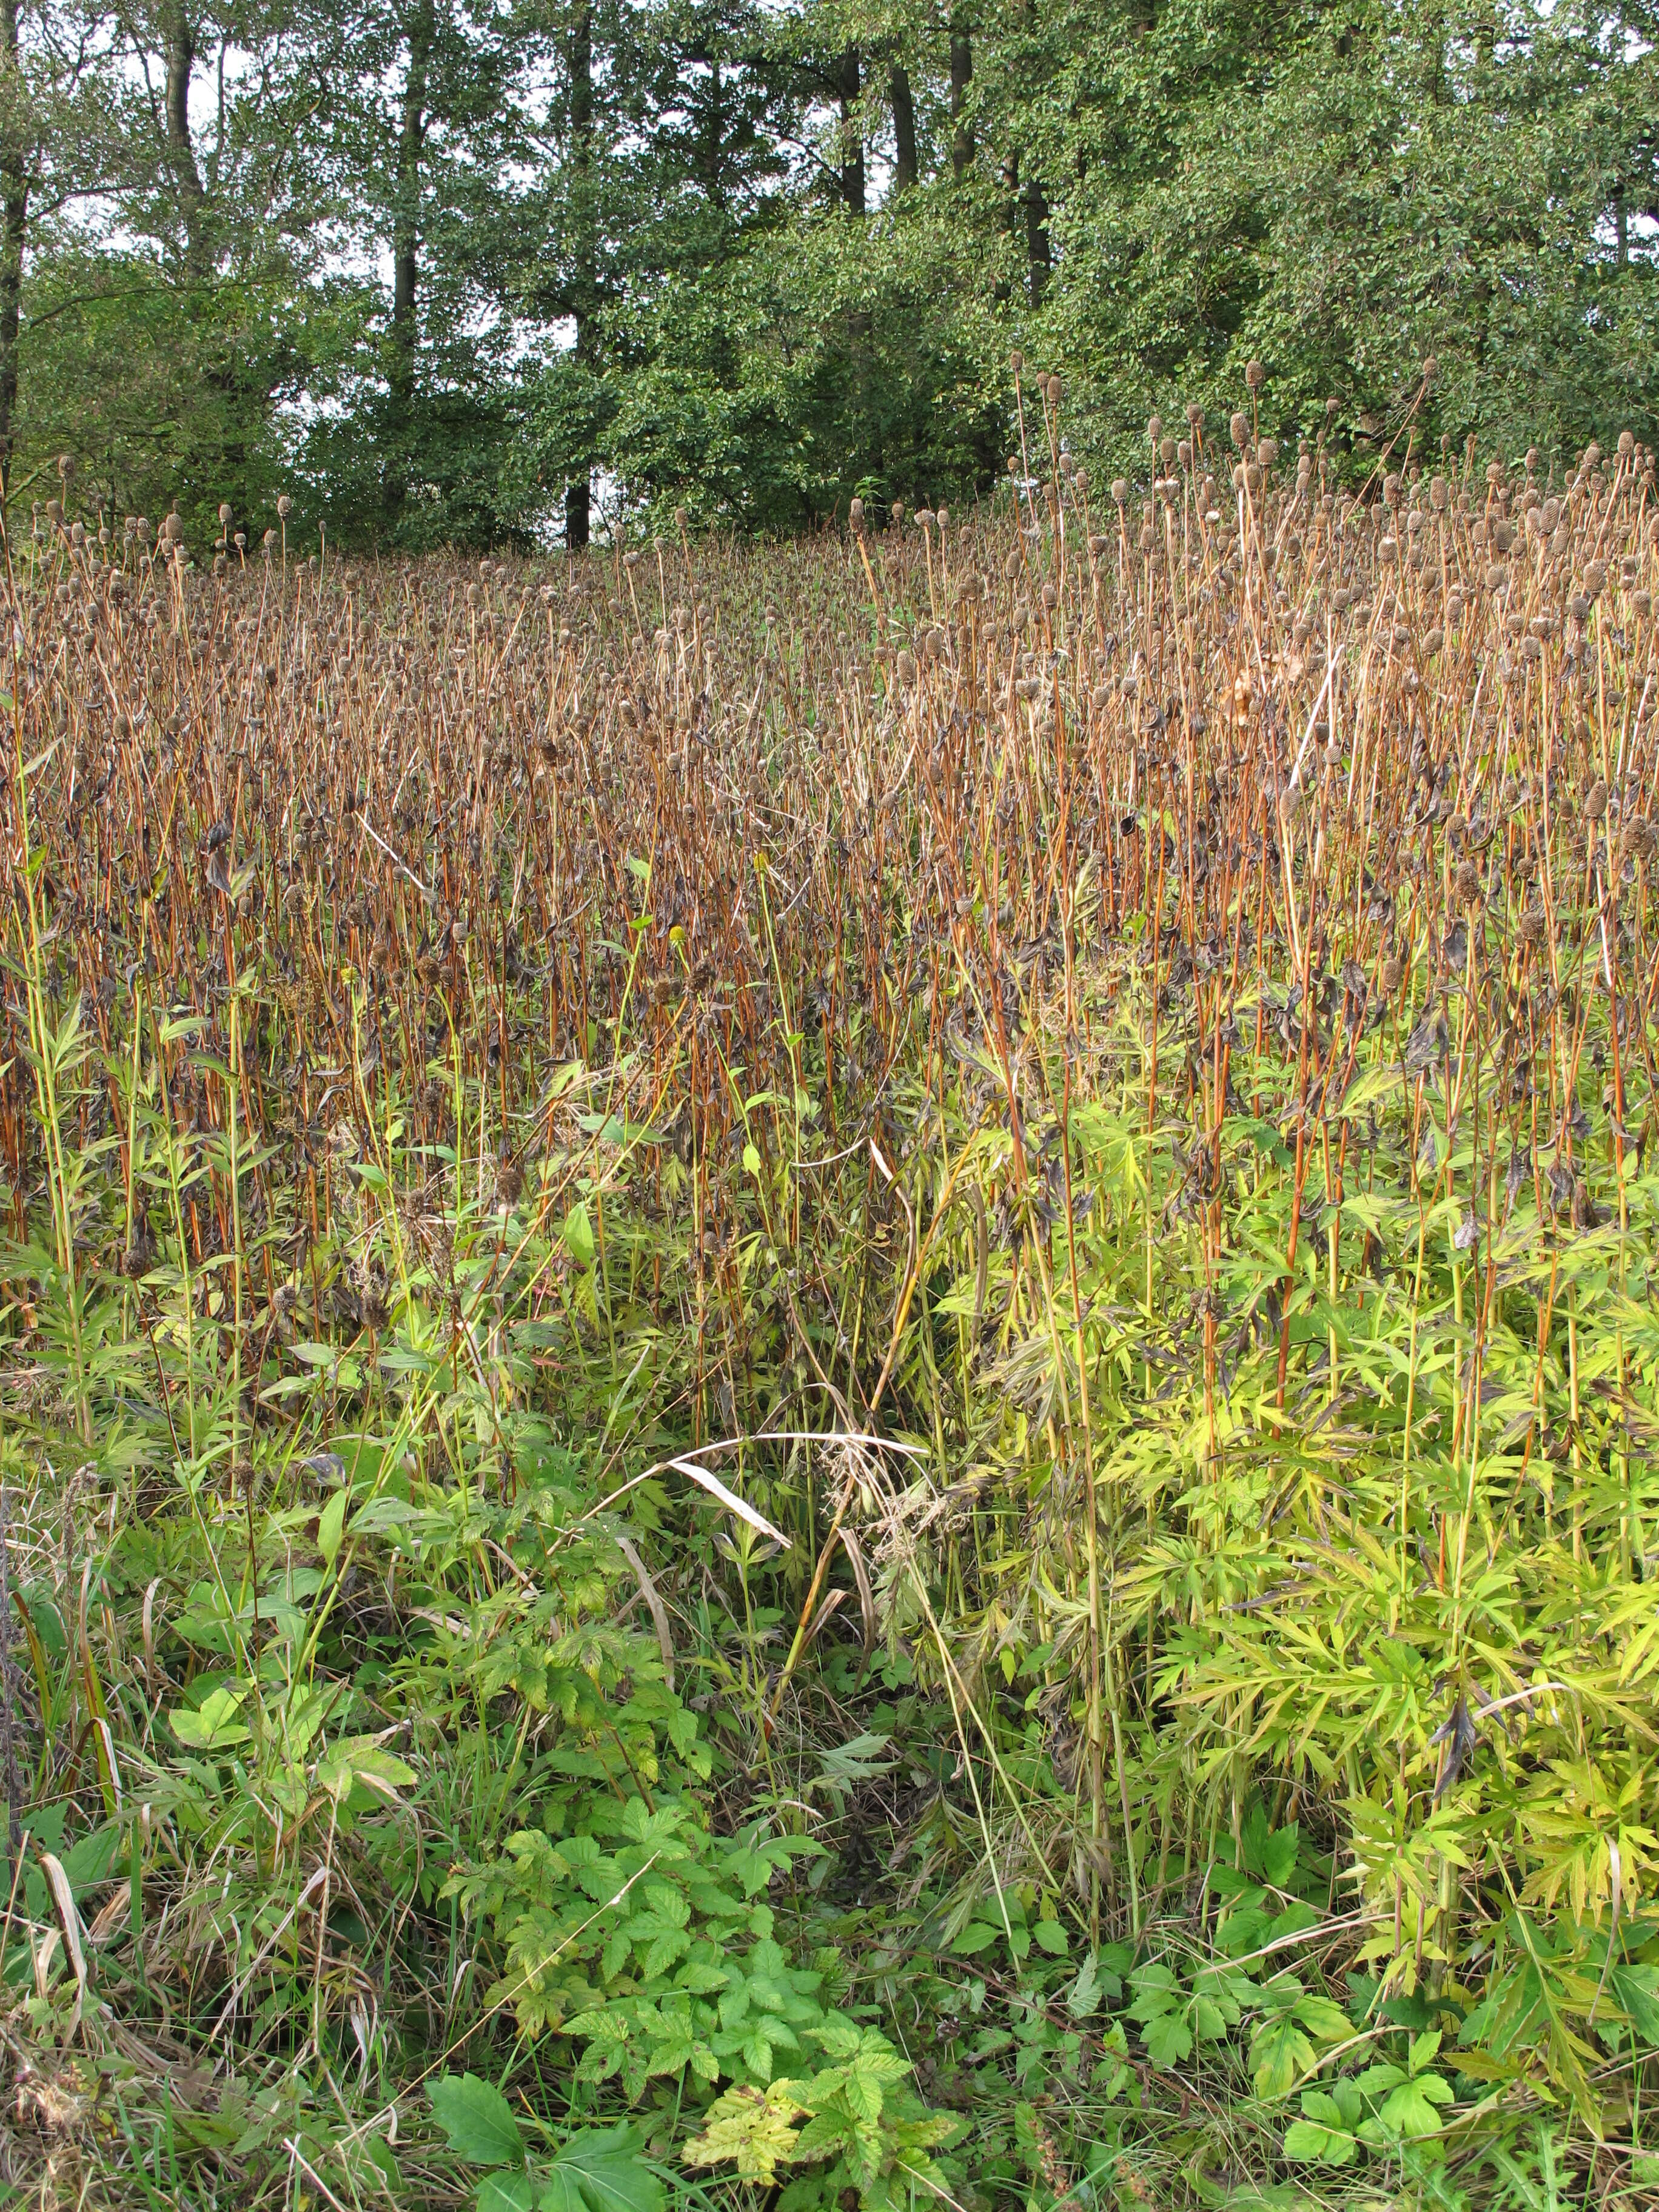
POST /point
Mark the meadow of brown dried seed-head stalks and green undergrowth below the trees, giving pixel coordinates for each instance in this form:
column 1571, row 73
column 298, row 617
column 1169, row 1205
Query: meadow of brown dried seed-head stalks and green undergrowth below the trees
column 828, row 1370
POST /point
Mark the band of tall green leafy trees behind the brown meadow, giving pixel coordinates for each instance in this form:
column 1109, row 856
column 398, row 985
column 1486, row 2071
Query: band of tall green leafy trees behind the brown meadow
column 455, row 271
